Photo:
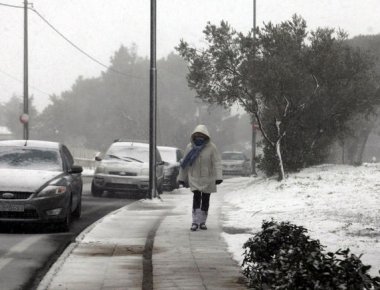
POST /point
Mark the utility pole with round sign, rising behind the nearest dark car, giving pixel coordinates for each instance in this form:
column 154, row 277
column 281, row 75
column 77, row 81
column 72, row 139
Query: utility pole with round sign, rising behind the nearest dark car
column 24, row 118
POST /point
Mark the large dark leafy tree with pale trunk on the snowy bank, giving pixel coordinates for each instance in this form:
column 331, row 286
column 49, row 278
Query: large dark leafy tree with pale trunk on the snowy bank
column 301, row 91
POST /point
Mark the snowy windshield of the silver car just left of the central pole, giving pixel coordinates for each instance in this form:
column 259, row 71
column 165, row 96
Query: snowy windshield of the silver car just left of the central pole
column 139, row 154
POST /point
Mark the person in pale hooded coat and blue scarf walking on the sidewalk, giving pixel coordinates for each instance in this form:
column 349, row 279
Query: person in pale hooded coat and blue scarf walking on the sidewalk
column 201, row 170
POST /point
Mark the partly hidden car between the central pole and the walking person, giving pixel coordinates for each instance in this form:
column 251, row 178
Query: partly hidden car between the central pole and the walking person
column 171, row 156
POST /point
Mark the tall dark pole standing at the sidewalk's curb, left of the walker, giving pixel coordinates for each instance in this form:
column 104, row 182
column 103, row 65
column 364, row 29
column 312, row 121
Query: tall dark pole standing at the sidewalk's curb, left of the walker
column 152, row 103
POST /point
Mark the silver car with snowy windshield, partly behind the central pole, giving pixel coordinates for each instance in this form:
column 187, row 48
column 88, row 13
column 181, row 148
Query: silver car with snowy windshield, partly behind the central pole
column 125, row 168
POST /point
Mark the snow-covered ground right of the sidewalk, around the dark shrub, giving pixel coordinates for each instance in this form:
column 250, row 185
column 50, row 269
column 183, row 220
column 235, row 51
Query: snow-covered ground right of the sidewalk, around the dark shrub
column 338, row 204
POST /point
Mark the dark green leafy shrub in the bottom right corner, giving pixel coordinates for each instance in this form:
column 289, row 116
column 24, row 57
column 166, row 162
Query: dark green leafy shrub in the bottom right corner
column 282, row 256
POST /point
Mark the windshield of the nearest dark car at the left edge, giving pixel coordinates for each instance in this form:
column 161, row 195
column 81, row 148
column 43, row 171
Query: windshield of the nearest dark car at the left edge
column 30, row 158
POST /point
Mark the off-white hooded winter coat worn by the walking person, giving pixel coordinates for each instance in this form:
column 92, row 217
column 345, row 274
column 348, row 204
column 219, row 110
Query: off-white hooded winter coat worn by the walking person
column 206, row 168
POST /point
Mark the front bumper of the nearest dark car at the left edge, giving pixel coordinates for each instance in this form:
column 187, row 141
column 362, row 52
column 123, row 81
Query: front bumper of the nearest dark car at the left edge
column 42, row 209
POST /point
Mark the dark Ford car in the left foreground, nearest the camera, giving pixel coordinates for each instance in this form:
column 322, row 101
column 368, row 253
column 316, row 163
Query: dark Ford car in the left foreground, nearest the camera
column 39, row 183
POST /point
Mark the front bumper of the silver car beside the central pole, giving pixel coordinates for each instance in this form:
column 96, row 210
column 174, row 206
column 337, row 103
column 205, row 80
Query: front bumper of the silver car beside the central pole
column 121, row 183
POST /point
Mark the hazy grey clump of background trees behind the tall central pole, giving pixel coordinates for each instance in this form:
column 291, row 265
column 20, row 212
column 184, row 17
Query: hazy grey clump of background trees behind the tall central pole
column 115, row 105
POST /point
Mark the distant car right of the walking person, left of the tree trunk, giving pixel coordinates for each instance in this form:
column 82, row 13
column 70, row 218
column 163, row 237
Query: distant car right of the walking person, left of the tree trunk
column 235, row 163
